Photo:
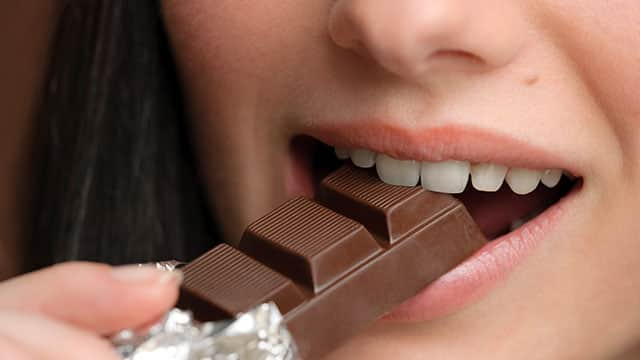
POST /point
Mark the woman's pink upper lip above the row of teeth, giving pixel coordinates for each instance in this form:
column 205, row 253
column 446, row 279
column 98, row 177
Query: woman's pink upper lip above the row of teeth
column 449, row 142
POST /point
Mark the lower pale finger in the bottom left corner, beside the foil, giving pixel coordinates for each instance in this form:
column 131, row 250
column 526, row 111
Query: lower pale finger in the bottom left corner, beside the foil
column 51, row 340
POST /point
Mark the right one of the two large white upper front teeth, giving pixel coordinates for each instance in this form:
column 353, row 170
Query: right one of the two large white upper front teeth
column 445, row 176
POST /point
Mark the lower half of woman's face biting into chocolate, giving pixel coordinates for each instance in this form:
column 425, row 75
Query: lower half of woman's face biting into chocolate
column 538, row 85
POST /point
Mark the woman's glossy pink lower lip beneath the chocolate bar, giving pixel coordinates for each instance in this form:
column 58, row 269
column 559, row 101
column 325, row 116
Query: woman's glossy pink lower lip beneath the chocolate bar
column 472, row 279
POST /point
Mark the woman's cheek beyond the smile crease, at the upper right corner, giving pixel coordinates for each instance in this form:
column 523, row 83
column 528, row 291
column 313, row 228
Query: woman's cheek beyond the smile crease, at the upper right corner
column 602, row 38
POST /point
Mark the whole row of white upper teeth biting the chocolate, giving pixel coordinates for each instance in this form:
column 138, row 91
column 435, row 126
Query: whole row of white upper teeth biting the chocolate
column 451, row 176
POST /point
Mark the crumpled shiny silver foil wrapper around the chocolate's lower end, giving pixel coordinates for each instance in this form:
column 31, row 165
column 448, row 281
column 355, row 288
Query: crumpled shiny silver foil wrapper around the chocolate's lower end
column 258, row 334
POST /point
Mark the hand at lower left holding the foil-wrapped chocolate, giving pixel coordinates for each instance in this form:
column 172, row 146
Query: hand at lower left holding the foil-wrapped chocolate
column 64, row 311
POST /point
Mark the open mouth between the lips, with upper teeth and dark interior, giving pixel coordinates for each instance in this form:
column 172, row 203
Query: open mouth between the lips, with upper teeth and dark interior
column 499, row 198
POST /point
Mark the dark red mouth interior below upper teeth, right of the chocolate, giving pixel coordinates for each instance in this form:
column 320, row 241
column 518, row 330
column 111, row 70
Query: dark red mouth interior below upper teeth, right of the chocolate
column 495, row 211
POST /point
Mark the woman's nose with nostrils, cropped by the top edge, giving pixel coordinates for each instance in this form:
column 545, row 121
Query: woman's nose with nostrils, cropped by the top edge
column 412, row 38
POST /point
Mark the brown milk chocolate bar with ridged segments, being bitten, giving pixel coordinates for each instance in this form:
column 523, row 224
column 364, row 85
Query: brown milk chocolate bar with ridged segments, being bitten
column 334, row 265
